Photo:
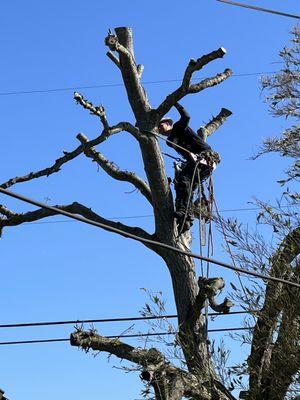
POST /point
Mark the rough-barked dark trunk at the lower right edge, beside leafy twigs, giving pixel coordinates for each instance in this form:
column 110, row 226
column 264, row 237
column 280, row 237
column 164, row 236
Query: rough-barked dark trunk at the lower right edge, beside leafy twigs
column 261, row 360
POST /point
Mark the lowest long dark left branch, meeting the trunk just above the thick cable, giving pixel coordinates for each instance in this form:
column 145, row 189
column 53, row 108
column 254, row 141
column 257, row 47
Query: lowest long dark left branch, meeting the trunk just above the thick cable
column 74, row 208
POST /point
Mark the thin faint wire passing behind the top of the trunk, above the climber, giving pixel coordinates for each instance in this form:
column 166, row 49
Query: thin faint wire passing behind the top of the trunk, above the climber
column 72, row 88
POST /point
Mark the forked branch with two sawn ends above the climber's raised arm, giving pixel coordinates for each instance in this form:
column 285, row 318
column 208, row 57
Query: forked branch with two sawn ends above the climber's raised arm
column 186, row 87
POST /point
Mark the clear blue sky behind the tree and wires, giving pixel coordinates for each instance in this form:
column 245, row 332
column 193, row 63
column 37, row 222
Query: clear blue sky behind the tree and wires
column 65, row 270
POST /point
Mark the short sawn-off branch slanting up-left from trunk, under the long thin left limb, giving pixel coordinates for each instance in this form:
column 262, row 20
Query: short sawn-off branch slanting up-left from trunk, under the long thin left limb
column 112, row 170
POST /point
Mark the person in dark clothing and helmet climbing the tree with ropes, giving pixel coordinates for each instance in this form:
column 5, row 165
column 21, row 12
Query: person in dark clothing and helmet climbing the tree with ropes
column 195, row 151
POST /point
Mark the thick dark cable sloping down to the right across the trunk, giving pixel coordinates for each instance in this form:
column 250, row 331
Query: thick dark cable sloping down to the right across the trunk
column 145, row 240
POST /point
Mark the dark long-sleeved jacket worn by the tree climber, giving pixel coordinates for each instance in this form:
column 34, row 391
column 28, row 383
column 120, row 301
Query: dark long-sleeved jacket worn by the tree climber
column 184, row 136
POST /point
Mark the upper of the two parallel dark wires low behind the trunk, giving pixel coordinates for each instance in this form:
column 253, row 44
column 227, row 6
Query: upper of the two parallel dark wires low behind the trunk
column 103, row 320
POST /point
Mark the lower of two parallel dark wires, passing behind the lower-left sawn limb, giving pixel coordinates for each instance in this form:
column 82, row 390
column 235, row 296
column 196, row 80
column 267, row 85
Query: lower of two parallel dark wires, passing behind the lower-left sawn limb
column 117, row 336
